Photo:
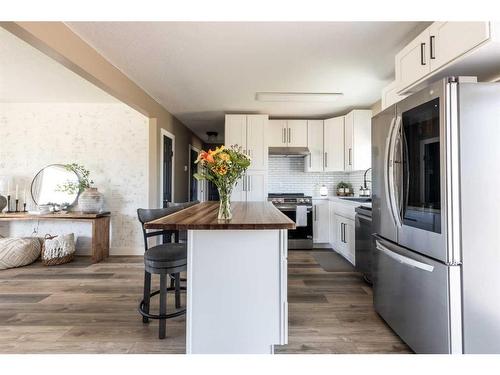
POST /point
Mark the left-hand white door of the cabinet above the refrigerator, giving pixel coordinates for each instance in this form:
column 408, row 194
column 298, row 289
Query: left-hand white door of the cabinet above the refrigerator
column 412, row 63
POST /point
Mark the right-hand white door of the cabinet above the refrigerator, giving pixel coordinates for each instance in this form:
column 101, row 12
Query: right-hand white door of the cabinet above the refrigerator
column 449, row 40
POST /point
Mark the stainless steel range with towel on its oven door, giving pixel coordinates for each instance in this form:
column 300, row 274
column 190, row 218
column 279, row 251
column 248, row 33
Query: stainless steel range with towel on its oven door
column 302, row 236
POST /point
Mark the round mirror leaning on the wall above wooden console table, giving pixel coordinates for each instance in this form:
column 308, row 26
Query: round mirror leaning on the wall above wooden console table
column 55, row 184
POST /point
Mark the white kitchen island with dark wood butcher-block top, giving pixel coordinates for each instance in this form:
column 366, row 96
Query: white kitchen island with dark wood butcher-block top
column 236, row 277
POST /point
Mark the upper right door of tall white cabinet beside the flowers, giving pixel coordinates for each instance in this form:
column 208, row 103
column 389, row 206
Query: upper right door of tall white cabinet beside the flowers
column 257, row 147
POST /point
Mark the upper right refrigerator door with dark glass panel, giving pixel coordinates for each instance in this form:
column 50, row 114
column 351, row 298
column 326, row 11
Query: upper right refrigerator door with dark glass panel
column 419, row 172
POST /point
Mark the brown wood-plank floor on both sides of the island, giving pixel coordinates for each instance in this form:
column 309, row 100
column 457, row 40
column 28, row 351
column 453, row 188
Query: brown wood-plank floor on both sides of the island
column 92, row 308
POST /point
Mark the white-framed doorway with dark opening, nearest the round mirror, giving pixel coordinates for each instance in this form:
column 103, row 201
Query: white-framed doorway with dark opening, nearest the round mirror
column 167, row 167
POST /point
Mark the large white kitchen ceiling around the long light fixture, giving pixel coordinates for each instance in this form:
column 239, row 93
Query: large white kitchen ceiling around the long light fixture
column 201, row 70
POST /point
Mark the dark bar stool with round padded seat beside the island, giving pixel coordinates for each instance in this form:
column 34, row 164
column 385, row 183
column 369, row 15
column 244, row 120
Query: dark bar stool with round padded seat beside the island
column 166, row 260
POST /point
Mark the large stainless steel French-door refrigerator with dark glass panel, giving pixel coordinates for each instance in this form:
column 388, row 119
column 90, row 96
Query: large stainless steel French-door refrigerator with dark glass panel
column 436, row 217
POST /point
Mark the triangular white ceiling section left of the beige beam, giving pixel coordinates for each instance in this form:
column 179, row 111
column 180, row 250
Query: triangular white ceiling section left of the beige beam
column 28, row 75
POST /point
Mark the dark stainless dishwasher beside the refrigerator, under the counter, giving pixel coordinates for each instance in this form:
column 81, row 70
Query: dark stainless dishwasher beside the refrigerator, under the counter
column 364, row 242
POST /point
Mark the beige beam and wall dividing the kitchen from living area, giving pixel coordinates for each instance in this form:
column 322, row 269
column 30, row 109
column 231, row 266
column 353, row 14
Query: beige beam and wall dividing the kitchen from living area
column 58, row 41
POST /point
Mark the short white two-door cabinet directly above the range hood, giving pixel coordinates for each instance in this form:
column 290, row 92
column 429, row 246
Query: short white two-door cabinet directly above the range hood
column 287, row 133
